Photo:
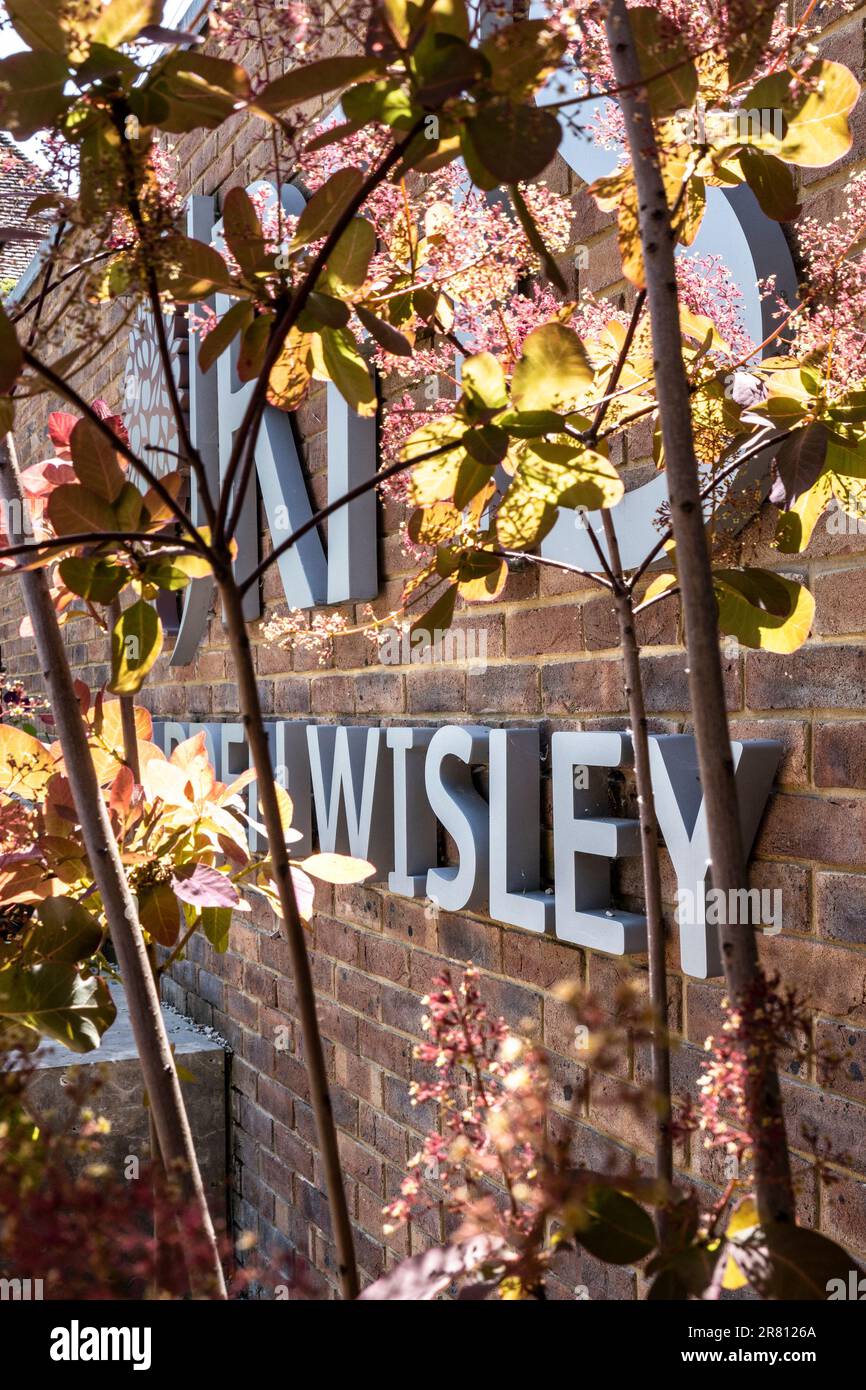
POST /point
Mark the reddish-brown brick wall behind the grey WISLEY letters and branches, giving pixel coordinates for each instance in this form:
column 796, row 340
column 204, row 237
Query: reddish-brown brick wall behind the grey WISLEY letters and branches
column 554, row 662
